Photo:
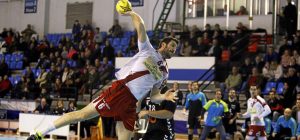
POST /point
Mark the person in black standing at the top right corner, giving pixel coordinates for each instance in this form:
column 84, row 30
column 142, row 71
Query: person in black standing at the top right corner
column 290, row 15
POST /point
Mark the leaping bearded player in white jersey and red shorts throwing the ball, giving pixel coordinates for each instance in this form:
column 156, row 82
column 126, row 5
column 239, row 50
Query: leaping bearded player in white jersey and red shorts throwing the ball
column 145, row 72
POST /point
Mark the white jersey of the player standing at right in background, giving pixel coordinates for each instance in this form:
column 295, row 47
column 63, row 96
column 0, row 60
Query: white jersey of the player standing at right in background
column 257, row 107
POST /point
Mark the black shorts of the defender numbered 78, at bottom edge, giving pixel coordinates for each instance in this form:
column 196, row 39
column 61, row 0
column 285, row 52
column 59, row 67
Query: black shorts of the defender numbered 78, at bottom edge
column 158, row 135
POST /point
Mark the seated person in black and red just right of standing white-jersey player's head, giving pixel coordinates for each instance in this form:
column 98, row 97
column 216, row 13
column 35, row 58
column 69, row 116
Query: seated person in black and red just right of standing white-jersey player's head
column 275, row 105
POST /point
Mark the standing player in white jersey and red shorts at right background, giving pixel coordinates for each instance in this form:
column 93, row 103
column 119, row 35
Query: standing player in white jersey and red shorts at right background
column 257, row 109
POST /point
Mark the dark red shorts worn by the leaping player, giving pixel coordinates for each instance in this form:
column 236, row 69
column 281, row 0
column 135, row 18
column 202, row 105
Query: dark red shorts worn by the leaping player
column 117, row 101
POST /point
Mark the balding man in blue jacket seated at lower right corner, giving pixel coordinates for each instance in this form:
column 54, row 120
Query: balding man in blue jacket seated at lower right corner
column 286, row 126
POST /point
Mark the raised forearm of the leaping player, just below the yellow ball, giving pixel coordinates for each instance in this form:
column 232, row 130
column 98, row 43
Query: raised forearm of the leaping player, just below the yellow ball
column 139, row 25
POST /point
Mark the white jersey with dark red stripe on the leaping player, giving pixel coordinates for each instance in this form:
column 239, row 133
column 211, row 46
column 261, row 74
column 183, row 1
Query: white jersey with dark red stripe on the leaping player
column 141, row 86
